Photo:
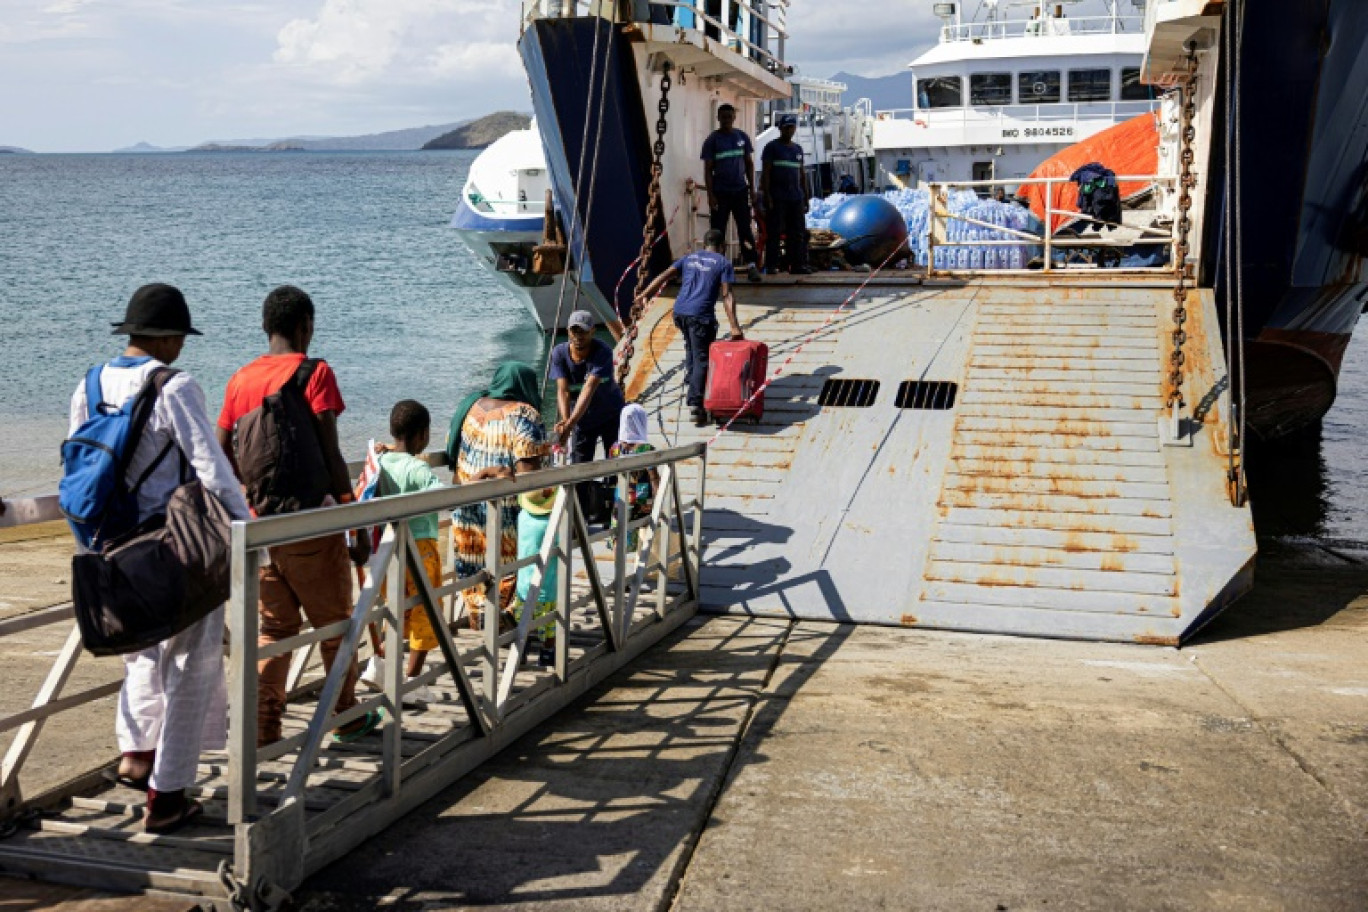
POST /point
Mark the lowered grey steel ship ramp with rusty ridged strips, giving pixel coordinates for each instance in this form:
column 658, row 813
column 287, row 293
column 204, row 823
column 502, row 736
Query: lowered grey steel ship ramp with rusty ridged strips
column 1043, row 502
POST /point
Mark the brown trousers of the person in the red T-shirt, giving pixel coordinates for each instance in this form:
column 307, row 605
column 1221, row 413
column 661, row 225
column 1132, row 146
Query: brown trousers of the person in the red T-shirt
column 314, row 576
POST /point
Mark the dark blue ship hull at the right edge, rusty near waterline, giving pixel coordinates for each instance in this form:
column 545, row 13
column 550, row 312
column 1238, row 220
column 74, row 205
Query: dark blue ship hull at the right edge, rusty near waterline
column 1304, row 203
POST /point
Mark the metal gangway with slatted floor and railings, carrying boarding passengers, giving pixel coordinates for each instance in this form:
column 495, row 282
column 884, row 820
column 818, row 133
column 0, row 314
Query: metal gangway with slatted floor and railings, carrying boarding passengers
column 277, row 814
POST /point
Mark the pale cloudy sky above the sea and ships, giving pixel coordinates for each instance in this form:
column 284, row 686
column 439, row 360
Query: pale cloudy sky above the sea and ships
column 94, row 76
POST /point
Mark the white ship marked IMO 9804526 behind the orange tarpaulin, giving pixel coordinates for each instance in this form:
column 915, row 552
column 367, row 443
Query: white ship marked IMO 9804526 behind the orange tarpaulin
column 998, row 95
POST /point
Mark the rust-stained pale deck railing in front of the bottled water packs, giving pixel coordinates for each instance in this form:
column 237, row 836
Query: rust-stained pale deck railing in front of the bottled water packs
column 940, row 217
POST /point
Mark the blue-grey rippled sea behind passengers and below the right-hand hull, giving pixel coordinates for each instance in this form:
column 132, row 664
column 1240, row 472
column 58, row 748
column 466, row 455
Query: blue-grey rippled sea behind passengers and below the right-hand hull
column 404, row 310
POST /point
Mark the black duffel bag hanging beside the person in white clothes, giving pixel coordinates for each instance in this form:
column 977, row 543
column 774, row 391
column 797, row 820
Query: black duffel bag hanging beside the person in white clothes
column 159, row 579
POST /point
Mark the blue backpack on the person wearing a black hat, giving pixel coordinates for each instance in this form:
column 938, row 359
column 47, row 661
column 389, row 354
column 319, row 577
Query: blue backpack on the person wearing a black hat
column 95, row 494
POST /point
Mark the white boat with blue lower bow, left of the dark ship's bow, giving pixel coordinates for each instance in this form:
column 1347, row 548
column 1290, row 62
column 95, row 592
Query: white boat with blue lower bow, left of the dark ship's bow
column 501, row 218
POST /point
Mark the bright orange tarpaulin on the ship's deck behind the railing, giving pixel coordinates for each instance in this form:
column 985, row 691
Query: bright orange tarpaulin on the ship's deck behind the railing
column 1129, row 148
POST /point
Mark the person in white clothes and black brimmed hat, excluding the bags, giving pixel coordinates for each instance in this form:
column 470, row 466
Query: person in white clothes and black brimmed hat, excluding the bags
column 173, row 703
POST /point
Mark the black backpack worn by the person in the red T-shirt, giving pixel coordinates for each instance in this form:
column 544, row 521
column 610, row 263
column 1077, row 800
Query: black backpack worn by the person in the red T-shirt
column 278, row 452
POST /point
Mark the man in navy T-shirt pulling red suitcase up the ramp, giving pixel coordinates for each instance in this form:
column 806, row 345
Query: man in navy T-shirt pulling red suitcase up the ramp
column 707, row 277
